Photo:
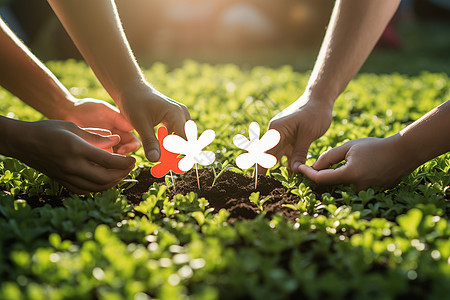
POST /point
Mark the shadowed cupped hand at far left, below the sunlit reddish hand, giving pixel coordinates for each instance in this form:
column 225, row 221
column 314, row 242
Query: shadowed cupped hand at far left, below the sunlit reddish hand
column 70, row 155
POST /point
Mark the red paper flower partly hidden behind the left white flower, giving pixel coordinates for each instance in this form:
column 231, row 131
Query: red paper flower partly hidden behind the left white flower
column 168, row 160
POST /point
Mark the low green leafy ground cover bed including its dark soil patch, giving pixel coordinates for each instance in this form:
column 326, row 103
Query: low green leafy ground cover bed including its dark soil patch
column 165, row 238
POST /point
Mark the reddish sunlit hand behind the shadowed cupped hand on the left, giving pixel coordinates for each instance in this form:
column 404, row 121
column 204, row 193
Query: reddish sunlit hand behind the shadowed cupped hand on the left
column 93, row 113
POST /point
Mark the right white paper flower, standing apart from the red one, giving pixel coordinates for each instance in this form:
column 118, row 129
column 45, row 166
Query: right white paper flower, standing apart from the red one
column 256, row 147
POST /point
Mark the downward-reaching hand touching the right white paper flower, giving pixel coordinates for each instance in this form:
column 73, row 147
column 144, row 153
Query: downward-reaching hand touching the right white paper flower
column 300, row 124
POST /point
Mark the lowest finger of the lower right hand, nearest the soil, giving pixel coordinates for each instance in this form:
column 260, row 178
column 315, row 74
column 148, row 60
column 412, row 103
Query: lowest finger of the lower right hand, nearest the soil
column 327, row 176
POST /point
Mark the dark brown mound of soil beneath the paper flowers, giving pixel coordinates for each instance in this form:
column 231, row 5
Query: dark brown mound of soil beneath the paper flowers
column 231, row 191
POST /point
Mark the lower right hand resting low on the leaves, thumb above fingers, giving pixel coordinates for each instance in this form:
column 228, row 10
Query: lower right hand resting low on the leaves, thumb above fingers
column 369, row 162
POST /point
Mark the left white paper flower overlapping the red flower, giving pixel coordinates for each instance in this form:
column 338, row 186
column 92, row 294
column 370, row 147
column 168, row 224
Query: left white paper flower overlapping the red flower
column 192, row 148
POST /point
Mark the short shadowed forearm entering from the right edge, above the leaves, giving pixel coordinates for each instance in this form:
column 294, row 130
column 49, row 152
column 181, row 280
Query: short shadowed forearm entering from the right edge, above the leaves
column 427, row 137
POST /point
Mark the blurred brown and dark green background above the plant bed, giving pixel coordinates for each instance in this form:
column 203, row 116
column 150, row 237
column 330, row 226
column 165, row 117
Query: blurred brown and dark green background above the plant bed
column 244, row 32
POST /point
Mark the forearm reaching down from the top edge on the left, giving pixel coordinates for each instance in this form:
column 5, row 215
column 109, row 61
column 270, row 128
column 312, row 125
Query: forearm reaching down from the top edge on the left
column 95, row 28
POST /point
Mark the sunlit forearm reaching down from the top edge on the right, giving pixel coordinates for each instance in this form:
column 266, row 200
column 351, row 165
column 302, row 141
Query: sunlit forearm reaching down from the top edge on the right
column 354, row 29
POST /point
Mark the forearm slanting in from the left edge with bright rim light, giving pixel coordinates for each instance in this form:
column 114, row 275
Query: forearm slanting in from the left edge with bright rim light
column 26, row 77
